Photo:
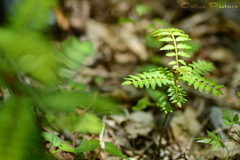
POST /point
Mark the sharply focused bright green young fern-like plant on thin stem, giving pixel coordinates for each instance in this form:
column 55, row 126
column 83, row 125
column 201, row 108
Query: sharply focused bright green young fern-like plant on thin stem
column 192, row 73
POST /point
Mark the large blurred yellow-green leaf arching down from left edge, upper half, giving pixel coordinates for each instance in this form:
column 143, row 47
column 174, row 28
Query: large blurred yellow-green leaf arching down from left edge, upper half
column 31, row 54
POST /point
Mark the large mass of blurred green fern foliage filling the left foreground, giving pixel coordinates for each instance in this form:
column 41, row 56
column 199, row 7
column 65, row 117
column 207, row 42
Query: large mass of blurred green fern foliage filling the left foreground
column 32, row 70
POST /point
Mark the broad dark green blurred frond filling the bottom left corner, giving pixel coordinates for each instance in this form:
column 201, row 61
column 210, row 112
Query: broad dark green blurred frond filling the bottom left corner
column 20, row 139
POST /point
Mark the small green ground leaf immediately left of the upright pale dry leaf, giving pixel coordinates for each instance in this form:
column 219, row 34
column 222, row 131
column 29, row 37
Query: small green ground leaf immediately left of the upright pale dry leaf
column 87, row 146
